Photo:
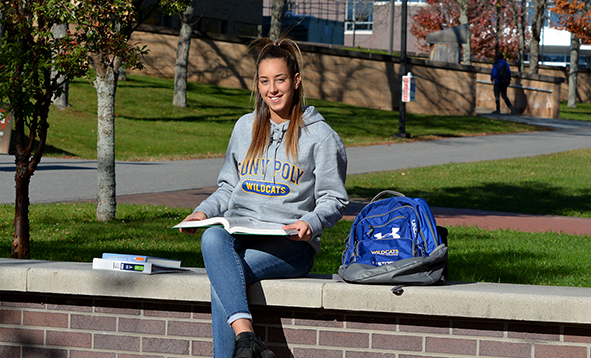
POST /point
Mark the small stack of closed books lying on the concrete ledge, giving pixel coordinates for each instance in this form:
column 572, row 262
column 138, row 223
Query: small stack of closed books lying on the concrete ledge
column 136, row 263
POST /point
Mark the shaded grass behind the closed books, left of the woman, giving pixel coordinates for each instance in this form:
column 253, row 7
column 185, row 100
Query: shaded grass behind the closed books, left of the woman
column 70, row 232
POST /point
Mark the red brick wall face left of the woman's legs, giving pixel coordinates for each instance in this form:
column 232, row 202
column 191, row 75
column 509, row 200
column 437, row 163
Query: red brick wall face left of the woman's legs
column 91, row 327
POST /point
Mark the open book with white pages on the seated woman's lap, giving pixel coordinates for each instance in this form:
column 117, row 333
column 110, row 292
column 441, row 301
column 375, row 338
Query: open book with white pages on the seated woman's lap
column 239, row 225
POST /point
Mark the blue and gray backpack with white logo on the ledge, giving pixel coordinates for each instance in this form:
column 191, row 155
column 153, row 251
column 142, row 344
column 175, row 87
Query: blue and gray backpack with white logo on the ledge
column 395, row 241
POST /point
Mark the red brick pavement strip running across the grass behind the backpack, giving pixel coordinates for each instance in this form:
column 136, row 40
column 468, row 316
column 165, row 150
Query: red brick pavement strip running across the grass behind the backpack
column 444, row 216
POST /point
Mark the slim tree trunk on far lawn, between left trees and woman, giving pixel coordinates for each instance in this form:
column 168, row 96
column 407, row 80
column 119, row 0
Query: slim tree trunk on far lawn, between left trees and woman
column 182, row 59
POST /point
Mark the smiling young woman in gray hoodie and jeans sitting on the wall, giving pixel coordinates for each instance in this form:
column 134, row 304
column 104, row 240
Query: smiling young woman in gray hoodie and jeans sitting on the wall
column 284, row 164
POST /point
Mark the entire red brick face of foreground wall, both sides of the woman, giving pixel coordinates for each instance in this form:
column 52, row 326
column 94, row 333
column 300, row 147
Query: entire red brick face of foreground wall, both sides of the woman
column 62, row 326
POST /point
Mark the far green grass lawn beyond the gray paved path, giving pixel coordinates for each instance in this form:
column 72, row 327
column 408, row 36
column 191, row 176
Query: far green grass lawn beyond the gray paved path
column 148, row 127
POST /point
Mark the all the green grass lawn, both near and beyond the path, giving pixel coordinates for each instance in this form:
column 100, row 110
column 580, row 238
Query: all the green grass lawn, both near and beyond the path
column 148, row 127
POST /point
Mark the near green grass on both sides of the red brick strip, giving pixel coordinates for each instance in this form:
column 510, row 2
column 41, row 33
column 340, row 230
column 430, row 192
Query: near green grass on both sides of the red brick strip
column 549, row 184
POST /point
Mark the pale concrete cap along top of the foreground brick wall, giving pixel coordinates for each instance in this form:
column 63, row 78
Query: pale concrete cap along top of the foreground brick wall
column 454, row 299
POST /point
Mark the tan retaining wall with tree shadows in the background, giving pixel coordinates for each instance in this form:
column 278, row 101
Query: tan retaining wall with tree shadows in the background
column 356, row 78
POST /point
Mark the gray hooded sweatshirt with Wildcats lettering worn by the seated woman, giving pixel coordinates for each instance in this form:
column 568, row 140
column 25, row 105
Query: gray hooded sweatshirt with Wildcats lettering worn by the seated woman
column 276, row 189
